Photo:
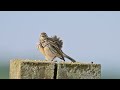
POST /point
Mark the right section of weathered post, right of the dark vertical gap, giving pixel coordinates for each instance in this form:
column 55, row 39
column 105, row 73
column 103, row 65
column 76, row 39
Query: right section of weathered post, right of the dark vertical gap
column 78, row 71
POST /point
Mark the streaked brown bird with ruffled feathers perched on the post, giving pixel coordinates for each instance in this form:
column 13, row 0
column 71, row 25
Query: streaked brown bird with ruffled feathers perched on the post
column 51, row 47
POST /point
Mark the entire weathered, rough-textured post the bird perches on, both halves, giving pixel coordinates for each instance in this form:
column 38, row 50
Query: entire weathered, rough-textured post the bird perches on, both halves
column 40, row 69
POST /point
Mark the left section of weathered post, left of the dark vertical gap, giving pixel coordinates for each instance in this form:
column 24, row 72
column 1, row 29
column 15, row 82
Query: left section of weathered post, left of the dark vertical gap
column 31, row 69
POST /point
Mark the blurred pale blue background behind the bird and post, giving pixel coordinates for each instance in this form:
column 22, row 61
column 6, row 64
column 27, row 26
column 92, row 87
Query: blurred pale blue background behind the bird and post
column 87, row 36
